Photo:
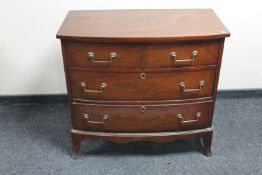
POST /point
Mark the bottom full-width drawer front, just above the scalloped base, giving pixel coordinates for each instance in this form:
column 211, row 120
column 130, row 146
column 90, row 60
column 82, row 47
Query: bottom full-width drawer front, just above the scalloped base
column 147, row 118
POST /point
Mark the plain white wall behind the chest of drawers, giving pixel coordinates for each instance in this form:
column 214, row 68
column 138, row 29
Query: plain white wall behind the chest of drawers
column 31, row 59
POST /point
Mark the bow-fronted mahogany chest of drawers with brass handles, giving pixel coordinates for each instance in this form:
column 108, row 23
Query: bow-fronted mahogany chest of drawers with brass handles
column 135, row 75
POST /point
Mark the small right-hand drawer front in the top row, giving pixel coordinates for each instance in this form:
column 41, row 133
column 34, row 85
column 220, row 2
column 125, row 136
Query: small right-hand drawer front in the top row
column 182, row 55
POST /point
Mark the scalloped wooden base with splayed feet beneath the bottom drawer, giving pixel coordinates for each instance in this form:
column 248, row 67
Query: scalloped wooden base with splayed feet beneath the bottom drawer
column 160, row 137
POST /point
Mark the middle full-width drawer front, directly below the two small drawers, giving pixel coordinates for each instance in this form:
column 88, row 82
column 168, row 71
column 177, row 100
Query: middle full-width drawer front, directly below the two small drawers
column 141, row 86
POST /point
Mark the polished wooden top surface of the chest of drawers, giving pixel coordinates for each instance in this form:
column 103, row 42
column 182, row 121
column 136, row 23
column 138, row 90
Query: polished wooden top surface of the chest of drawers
column 142, row 25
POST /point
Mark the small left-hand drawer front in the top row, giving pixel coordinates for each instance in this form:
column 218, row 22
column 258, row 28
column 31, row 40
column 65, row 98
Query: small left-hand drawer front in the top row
column 103, row 56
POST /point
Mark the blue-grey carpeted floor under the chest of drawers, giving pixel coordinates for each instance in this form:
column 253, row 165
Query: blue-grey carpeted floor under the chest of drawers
column 35, row 140
